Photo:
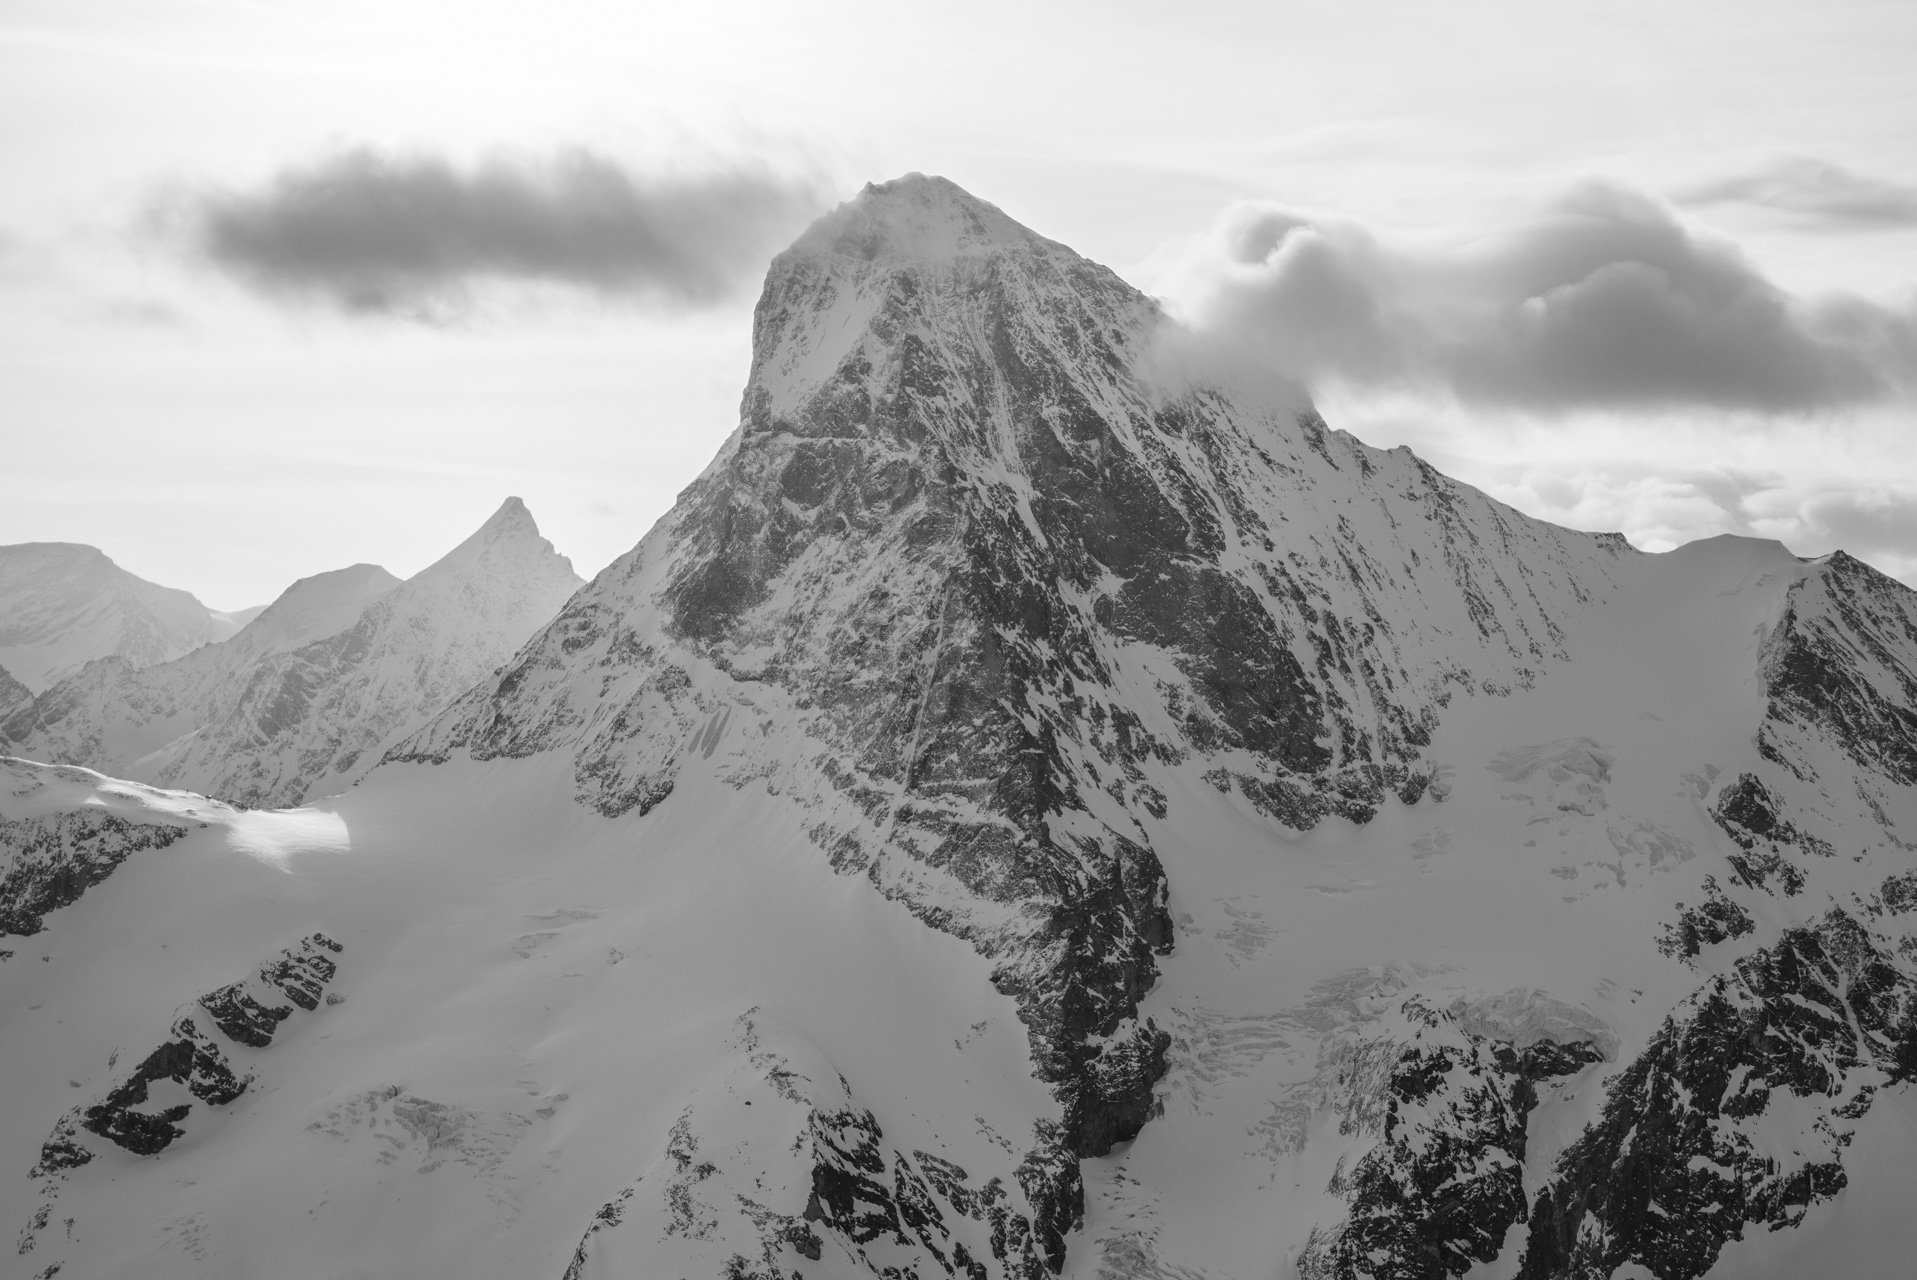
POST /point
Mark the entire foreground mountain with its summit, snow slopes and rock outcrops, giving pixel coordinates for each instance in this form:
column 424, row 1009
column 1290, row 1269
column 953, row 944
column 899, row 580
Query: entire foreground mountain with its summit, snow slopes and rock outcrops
column 1028, row 810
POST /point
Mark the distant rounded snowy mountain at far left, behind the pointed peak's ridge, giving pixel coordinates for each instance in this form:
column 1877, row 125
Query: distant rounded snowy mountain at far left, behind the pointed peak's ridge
column 64, row 605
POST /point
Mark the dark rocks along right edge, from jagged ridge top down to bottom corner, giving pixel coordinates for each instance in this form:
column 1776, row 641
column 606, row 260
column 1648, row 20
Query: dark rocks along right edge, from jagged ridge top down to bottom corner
column 1799, row 1032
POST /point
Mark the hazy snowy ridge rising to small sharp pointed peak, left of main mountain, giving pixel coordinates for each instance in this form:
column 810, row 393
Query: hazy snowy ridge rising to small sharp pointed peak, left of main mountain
column 323, row 677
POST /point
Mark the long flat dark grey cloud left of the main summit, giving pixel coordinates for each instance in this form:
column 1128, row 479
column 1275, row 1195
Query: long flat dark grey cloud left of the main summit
column 415, row 235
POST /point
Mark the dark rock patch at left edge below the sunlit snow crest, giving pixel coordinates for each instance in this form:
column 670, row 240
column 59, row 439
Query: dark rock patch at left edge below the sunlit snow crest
column 53, row 861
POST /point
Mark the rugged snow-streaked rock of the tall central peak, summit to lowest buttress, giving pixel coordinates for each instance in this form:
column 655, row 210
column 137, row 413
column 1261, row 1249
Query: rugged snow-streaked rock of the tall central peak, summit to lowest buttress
column 950, row 541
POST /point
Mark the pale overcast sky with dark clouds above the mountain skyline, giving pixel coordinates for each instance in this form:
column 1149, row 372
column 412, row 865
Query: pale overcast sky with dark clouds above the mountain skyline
column 290, row 286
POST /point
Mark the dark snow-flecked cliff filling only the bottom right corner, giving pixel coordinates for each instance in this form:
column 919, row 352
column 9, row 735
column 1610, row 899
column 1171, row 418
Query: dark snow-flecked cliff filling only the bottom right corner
column 1671, row 1174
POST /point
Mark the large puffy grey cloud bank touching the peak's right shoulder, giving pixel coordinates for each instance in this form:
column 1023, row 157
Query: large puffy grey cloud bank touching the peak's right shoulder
column 1598, row 300
